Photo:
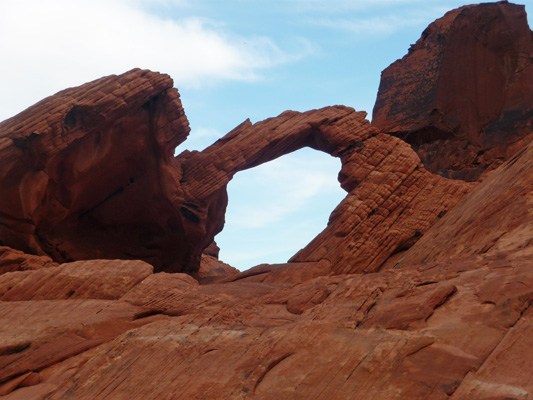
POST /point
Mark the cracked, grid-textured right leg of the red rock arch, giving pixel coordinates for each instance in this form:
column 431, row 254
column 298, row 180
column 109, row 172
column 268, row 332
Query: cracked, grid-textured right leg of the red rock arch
column 393, row 201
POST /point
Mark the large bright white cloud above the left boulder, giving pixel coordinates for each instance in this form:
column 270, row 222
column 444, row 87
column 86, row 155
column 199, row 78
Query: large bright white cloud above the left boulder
column 49, row 45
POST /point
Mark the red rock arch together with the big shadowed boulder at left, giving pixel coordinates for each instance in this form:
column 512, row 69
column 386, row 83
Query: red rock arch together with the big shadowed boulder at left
column 89, row 173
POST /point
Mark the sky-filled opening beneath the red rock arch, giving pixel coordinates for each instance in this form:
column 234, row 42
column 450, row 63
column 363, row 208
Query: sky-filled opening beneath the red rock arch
column 277, row 208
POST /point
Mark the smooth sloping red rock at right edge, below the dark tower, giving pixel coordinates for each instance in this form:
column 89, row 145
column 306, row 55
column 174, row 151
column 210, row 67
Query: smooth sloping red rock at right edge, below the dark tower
column 495, row 218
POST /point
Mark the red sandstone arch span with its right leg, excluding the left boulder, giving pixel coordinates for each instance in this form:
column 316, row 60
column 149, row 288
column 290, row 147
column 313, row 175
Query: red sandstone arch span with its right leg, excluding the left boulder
column 389, row 192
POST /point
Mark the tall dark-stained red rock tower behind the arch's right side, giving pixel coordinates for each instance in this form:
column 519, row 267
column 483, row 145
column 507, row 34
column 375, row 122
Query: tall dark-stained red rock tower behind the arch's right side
column 463, row 95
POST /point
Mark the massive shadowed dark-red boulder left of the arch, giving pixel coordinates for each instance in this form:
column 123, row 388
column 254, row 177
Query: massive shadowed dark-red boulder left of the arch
column 88, row 172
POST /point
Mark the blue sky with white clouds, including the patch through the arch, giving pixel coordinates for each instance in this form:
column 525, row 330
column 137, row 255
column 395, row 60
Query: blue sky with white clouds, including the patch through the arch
column 230, row 60
